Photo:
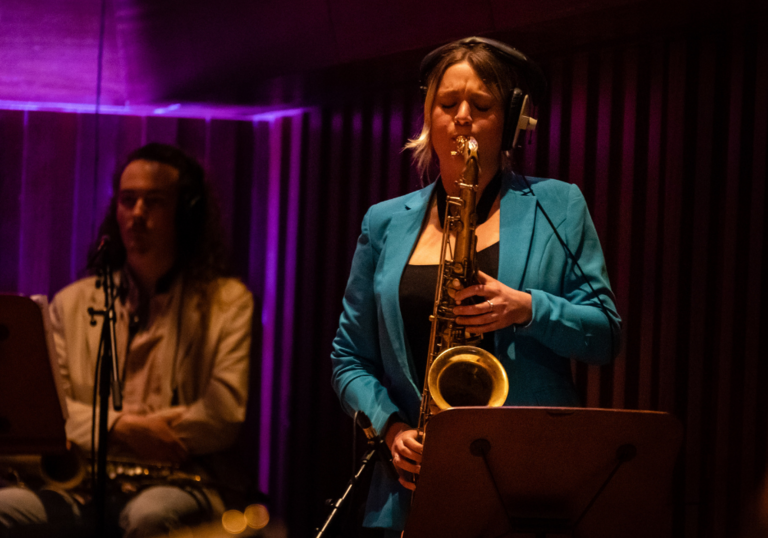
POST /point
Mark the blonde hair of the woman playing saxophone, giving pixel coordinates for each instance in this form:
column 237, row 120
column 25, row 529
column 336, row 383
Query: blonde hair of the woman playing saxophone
column 498, row 76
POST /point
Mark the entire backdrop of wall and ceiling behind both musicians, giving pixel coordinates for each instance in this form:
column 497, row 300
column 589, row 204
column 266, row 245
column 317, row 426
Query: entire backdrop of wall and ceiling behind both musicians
column 299, row 109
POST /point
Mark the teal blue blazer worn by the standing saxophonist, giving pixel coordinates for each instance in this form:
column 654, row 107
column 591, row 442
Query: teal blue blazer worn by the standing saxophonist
column 373, row 369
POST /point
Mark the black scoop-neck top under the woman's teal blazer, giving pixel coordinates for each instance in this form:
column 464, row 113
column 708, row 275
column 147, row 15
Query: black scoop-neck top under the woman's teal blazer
column 417, row 300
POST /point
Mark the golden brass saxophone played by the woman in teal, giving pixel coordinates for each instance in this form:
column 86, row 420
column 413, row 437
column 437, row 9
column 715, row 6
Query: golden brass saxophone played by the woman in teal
column 458, row 372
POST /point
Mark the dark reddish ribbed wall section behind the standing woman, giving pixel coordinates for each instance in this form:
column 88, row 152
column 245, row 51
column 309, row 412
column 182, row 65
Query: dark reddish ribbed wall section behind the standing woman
column 666, row 137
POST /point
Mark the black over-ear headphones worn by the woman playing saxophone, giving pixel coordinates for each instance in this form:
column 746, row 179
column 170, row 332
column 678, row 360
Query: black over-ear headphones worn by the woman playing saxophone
column 517, row 114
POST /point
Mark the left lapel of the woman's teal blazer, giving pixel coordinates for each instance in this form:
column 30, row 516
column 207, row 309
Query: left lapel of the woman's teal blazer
column 402, row 233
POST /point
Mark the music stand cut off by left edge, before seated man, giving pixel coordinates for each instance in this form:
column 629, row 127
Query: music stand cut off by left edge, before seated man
column 32, row 405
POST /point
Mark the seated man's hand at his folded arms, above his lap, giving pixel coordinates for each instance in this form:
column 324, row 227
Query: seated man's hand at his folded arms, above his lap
column 149, row 437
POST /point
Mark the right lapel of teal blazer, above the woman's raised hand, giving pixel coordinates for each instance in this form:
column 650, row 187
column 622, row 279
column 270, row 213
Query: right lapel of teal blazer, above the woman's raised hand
column 518, row 212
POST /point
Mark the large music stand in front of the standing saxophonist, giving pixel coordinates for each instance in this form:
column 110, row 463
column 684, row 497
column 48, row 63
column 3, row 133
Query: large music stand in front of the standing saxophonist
column 546, row 472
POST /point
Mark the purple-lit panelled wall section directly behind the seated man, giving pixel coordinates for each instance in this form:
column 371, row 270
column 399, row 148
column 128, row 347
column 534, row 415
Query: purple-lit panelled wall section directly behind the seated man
column 51, row 207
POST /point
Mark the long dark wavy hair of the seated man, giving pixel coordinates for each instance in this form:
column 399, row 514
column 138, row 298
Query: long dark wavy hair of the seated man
column 202, row 253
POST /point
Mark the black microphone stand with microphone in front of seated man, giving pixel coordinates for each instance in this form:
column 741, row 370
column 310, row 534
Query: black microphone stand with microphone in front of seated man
column 108, row 378
